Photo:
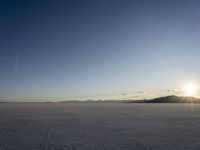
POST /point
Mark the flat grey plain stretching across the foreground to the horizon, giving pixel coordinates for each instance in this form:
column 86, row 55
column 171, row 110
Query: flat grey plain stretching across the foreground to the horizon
column 99, row 126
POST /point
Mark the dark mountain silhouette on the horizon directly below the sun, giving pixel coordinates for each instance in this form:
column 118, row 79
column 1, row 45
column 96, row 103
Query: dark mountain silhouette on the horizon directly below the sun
column 174, row 99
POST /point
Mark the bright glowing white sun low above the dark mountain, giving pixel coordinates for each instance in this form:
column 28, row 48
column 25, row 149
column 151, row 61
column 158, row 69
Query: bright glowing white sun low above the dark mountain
column 190, row 89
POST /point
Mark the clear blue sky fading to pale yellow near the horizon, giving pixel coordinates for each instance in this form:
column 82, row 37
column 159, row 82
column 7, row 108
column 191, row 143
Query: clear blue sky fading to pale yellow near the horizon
column 97, row 49
